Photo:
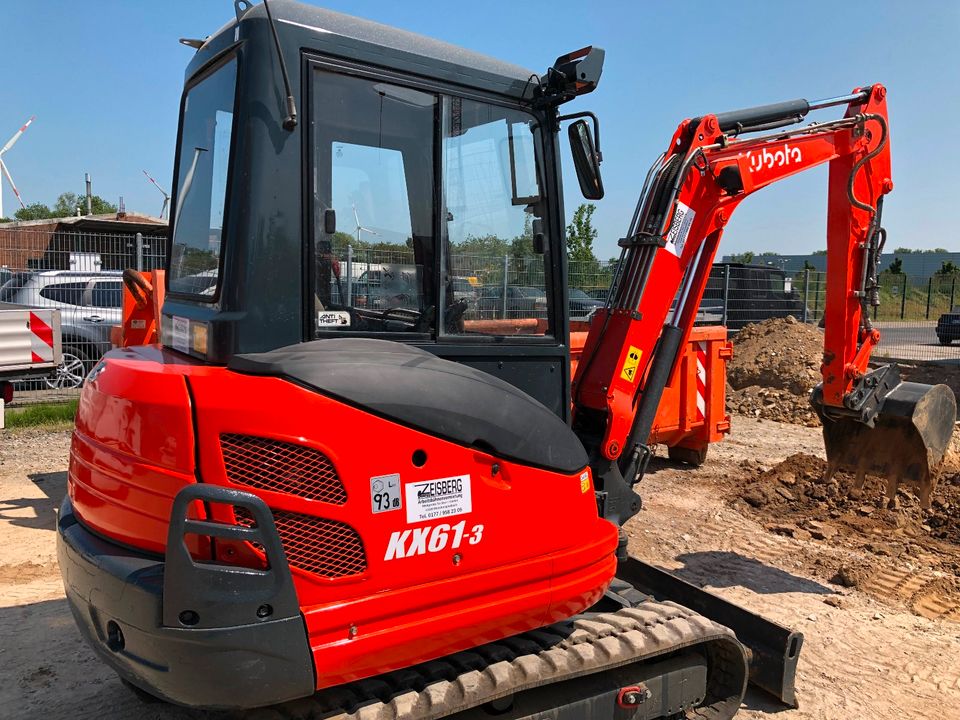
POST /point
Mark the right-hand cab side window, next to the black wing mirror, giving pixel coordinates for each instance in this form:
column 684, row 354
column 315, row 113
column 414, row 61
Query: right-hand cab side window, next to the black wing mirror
column 493, row 202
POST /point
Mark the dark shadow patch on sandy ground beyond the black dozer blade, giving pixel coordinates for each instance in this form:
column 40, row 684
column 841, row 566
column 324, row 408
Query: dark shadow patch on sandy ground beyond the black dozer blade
column 729, row 569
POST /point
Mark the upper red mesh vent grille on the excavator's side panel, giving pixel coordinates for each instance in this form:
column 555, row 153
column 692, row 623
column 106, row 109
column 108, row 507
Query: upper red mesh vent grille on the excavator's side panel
column 281, row 467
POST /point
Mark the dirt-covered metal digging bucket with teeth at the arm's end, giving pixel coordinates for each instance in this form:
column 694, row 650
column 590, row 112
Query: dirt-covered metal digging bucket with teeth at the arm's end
column 910, row 436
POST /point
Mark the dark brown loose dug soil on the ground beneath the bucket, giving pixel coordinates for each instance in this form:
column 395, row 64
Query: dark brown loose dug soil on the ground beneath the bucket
column 906, row 554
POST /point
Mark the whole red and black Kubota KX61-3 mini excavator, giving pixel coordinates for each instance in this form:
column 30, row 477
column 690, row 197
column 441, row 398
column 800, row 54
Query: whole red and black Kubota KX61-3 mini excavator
column 353, row 488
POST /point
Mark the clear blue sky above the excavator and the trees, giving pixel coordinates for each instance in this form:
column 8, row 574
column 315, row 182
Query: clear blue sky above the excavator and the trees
column 104, row 79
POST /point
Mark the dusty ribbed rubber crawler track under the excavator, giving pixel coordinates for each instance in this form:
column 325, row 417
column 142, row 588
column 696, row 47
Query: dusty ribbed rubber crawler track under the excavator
column 586, row 644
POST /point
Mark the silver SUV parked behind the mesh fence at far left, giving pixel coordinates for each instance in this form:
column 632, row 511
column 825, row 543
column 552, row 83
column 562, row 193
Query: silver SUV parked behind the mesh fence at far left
column 89, row 303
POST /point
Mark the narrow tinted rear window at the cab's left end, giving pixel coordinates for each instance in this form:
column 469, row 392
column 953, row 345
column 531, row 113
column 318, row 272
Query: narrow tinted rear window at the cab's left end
column 203, row 167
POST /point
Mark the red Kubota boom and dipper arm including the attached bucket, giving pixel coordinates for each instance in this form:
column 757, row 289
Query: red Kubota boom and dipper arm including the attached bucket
column 689, row 195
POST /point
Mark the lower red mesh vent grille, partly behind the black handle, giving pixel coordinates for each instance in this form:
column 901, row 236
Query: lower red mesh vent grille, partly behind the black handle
column 327, row 548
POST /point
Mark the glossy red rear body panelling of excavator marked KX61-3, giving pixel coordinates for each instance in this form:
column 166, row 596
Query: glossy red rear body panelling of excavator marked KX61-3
column 510, row 571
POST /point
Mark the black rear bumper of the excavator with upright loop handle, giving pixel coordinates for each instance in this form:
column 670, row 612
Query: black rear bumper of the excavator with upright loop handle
column 120, row 603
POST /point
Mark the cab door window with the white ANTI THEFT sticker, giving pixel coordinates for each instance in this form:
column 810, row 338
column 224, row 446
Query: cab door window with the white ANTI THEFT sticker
column 374, row 169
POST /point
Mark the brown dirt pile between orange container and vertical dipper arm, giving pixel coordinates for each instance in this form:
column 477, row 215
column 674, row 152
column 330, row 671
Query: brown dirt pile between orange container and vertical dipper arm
column 775, row 364
